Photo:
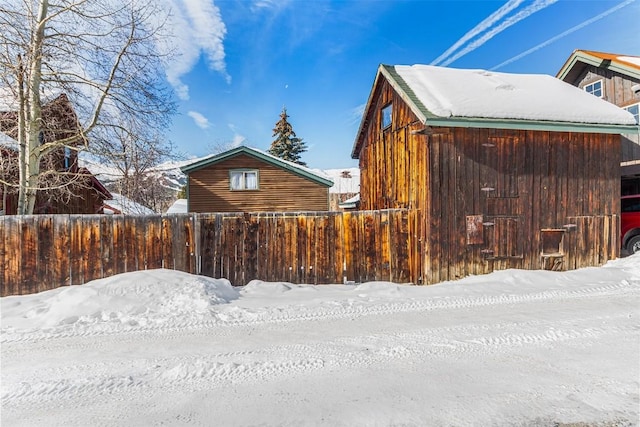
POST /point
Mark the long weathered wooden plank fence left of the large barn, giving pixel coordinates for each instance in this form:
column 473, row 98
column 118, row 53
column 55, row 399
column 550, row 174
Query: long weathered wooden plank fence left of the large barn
column 41, row 252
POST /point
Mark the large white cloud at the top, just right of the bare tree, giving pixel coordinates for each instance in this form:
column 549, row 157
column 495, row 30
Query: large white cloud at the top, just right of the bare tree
column 195, row 28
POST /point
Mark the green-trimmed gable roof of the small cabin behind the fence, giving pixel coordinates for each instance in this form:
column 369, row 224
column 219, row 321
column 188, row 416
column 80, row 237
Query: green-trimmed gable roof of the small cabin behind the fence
column 260, row 155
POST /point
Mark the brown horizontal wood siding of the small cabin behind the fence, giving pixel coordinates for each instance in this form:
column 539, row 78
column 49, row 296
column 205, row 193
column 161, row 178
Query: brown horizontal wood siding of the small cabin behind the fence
column 279, row 190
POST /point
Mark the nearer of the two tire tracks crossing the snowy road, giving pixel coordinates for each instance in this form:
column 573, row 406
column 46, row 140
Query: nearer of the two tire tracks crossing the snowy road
column 215, row 370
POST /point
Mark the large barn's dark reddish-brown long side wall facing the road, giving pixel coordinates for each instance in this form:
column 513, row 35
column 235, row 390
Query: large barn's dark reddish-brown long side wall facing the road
column 524, row 184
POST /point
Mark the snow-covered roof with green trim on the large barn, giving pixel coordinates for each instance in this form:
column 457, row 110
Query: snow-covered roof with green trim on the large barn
column 475, row 98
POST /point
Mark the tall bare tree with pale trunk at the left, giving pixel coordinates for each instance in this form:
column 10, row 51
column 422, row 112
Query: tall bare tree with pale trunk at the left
column 102, row 55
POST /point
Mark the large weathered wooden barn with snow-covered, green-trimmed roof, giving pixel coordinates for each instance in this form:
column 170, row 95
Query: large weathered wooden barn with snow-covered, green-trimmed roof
column 509, row 171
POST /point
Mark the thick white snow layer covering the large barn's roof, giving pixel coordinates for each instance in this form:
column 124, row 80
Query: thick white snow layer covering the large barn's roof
column 451, row 92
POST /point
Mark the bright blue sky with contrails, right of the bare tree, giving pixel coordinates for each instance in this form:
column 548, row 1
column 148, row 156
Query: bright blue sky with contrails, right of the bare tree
column 244, row 60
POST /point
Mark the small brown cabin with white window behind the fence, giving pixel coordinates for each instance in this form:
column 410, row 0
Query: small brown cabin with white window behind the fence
column 249, row 180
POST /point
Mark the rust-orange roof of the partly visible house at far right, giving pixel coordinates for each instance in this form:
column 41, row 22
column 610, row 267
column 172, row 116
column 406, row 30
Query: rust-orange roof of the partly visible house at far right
column 628, row 65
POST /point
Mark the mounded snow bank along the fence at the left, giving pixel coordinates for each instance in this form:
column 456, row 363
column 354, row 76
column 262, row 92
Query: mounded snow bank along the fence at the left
column 150, row 297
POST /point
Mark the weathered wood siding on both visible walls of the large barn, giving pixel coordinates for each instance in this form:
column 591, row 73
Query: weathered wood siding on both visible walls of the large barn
column 522, row 184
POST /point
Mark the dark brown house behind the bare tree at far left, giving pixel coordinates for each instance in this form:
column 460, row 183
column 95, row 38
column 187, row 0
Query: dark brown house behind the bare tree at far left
column 79, row 191
